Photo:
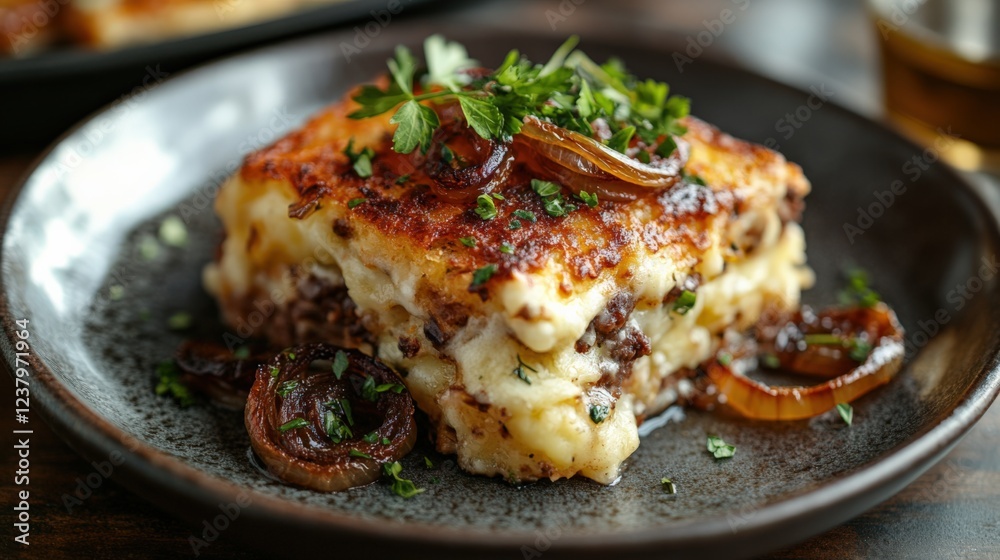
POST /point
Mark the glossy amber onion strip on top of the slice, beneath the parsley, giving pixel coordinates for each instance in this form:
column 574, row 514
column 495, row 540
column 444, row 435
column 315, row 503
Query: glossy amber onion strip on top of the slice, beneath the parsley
column 584, row 155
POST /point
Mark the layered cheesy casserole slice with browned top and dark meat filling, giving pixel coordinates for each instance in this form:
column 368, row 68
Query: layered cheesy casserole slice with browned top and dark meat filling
column 536, row 329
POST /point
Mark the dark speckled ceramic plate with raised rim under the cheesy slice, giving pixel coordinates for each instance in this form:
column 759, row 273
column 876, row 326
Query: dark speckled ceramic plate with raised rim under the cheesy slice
column 78, row 223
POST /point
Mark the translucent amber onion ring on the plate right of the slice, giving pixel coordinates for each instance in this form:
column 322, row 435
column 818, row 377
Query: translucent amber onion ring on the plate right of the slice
column 756, row 400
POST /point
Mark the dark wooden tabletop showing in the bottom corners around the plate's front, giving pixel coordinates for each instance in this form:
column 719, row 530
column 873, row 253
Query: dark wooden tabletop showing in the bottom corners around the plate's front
column 951, row 511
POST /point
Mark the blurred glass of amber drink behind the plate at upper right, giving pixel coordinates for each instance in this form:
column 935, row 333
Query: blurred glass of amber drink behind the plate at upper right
column 941, row 72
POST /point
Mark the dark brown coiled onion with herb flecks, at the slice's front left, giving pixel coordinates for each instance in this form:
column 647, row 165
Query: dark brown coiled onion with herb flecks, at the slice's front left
column 308, row 455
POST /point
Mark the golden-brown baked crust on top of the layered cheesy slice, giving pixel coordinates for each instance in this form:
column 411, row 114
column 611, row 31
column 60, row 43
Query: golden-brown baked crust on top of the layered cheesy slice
column 400, row 200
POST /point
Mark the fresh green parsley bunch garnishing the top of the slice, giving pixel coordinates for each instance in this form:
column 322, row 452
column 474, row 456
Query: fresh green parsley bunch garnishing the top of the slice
column 570, row 90
